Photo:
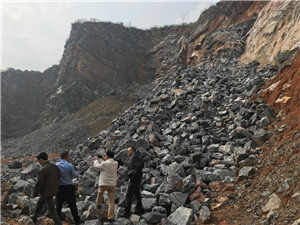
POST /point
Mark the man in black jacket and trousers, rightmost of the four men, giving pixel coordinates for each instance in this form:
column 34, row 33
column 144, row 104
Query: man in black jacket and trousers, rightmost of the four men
column 135, row 173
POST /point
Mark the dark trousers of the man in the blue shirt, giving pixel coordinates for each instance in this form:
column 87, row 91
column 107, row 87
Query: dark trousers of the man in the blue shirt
column 66, row 193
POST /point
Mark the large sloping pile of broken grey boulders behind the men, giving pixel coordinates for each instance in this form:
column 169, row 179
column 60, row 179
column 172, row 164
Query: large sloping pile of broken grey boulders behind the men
column 196, row 131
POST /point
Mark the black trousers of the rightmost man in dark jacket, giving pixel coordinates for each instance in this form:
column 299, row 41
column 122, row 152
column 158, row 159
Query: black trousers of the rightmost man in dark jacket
column 134, row 189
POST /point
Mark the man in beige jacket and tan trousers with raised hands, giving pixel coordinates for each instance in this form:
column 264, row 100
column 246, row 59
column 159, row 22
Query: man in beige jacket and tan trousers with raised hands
column 107, row 182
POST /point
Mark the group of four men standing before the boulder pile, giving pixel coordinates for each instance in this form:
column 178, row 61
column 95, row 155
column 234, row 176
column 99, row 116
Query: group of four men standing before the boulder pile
column 57, row 180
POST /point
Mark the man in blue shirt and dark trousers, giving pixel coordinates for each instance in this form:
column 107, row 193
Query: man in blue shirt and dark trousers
column 66, row 190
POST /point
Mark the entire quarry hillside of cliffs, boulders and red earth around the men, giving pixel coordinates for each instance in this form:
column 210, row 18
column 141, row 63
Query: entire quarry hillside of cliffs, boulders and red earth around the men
column 214, row 113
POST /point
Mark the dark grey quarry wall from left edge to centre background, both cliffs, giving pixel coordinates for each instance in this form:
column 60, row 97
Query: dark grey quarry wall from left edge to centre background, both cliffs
column 100, row 60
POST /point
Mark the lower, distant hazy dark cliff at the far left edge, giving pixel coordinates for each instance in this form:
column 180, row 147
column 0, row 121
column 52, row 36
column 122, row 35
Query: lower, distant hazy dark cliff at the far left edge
column 23, row 99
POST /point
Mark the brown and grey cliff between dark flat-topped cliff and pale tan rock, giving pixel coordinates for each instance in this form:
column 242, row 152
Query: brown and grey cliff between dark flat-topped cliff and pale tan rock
column 214, row 31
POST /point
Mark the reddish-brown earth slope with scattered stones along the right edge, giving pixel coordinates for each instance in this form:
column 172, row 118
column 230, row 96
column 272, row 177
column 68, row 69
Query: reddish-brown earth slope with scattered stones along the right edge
column 272, row 197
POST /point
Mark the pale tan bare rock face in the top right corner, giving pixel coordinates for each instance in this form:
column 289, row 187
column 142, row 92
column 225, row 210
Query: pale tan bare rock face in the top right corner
column 274, row 38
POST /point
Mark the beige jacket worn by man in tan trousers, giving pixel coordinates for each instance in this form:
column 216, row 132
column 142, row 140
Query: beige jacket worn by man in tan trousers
column 108, row 172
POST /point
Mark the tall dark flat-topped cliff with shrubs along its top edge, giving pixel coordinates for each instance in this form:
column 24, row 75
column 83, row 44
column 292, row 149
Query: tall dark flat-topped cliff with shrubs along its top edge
column 105, row 59
